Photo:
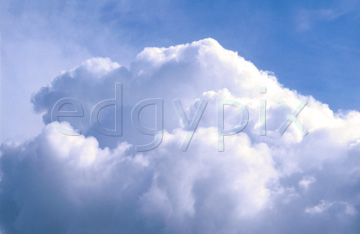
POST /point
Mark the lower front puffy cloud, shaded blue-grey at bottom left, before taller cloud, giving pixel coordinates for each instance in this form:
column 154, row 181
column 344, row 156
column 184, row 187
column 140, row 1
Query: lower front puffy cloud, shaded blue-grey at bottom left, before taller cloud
column 56, row 183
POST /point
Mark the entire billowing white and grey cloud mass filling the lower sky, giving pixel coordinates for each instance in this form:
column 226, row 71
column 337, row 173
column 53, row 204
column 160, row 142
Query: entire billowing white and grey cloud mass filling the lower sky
column 93, row 183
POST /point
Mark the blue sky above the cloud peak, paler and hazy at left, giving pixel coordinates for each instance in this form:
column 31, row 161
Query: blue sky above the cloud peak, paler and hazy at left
column 312, row 47
